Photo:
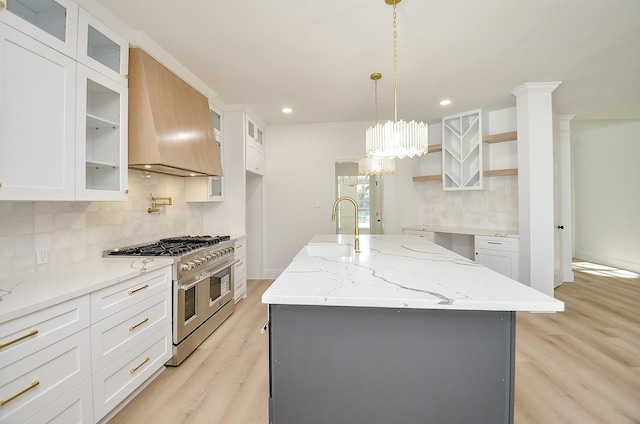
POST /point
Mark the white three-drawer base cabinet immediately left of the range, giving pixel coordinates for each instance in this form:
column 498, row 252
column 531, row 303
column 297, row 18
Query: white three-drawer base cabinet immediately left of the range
column 130, row 336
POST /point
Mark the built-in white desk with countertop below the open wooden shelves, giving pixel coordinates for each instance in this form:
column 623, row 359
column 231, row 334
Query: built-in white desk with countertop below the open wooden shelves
column 495, row 249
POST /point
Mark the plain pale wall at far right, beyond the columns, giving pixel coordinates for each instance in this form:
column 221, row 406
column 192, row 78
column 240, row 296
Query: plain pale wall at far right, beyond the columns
column 607, row 192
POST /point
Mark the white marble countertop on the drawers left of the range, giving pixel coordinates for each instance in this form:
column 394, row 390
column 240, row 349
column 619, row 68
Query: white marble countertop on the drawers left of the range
column 22, row 295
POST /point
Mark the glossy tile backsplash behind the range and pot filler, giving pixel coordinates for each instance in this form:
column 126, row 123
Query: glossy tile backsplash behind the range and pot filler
column 77, row 231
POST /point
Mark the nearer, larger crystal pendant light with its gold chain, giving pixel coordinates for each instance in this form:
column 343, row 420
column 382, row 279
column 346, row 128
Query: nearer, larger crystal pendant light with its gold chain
column 397, row 138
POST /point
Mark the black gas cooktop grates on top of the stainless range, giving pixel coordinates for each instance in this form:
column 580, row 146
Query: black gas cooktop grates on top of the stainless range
column 174, row 246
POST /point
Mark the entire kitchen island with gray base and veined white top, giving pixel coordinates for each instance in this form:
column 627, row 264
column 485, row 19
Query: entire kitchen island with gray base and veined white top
column 404, row 331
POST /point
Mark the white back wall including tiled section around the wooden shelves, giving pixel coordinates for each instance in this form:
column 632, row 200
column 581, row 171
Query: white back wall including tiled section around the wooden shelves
column 300, row 174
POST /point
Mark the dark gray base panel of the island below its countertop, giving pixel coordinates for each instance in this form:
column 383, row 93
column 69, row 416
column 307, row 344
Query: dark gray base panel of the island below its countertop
column 383, row 365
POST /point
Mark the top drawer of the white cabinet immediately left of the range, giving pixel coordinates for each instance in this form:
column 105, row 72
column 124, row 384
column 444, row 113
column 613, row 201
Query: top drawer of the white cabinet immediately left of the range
column 121, row 296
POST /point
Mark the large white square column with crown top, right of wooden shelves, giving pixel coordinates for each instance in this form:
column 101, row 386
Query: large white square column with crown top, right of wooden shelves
column 535, row 184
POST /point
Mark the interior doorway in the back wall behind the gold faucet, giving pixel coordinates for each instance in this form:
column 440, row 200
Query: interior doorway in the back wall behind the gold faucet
column 366, row 191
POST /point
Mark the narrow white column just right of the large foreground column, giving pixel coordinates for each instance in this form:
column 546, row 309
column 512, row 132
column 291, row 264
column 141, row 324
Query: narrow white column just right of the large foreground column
column 566, row 196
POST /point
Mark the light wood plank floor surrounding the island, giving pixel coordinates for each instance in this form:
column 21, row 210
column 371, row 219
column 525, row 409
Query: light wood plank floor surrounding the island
column 580, row 366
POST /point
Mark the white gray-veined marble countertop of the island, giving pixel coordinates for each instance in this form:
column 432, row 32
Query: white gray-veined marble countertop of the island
column 400, row 271
